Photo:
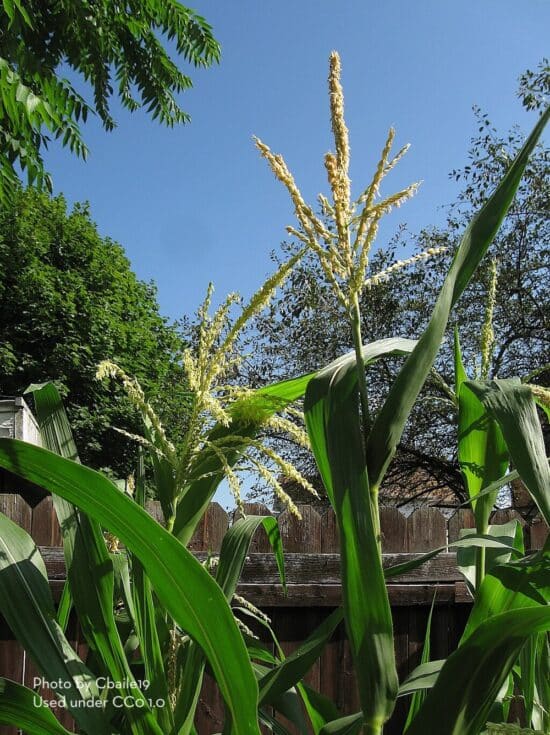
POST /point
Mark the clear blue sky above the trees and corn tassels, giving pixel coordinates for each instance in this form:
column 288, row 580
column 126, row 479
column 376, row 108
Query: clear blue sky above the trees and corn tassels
column 196, row 203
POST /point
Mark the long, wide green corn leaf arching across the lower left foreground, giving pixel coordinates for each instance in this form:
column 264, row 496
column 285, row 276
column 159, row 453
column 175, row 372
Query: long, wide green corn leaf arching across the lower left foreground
column 182, row 585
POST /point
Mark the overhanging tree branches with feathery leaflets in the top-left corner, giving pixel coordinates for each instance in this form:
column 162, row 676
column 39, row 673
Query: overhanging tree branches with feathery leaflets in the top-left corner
column 108, row 44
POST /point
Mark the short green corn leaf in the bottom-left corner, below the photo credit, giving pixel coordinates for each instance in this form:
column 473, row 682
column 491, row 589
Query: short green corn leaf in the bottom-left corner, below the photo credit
column 25, row 709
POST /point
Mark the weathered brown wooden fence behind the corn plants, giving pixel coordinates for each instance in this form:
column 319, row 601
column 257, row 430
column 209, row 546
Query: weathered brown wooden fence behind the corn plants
column 313, row 572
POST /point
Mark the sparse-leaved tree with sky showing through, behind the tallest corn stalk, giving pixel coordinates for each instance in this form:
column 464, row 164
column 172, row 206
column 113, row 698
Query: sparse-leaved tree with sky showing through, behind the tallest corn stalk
column 303, row 330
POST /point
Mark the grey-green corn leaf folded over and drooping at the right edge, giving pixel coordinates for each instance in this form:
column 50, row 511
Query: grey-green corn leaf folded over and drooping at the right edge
column 512, row 405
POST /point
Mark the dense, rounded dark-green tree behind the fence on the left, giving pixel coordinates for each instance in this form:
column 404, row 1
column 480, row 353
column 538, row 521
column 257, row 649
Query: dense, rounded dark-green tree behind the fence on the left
column 69, row 299
